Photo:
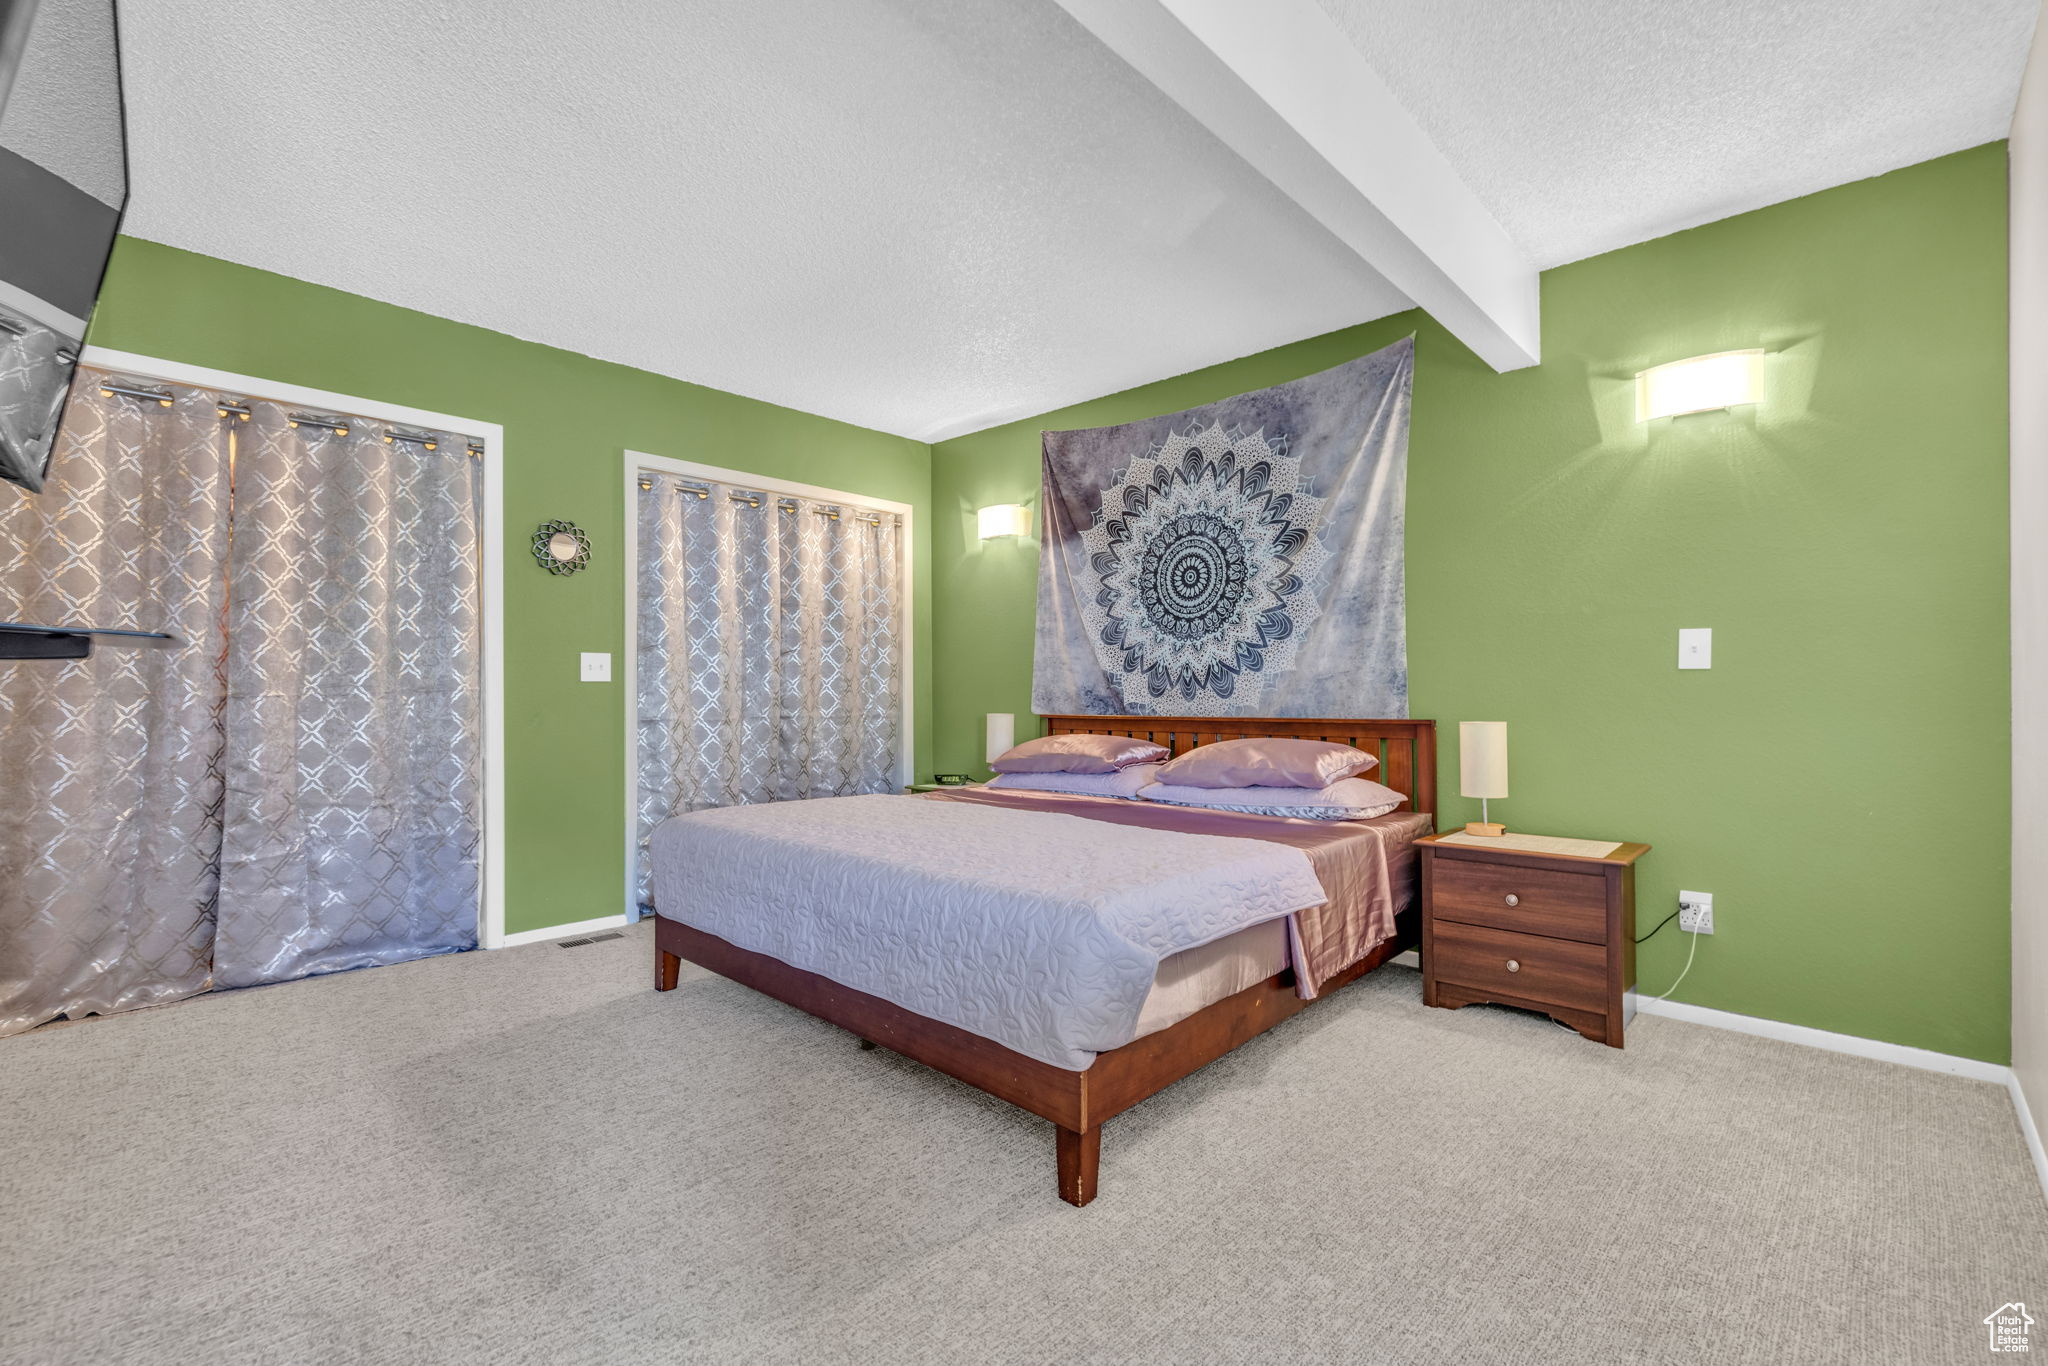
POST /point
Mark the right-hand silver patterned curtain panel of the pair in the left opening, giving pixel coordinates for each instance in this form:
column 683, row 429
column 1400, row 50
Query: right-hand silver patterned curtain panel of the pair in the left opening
column 353, row 701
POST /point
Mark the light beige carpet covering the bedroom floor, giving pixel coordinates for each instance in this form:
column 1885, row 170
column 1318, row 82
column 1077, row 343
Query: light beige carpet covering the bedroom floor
column 529, row 1156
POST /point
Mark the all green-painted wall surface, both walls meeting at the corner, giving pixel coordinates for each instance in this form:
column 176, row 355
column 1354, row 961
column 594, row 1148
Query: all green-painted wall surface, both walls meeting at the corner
column 1838, row 781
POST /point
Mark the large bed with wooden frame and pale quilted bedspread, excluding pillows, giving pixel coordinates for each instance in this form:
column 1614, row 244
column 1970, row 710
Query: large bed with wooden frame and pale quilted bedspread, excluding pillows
column 1228, row 986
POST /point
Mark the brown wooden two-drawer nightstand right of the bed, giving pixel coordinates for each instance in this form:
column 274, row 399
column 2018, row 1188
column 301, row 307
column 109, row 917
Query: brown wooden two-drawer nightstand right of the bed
column 1541, row 931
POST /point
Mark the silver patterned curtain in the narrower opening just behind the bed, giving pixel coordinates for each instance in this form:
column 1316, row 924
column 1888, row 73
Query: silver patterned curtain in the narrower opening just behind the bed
column 769, row 650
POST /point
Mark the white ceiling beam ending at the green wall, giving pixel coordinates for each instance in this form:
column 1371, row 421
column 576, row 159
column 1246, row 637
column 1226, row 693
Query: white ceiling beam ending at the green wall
column 1289, row 93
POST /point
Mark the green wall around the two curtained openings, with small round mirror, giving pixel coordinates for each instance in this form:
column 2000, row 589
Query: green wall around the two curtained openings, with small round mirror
column 568, row 423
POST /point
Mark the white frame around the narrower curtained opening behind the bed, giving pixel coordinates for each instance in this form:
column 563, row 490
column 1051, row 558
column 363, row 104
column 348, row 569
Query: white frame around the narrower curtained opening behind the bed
column 636, row 462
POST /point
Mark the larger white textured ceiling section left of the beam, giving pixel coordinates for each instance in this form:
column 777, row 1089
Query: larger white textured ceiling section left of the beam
column 921, row 216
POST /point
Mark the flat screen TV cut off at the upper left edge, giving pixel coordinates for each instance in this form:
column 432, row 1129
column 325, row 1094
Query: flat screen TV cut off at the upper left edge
column 62, row 191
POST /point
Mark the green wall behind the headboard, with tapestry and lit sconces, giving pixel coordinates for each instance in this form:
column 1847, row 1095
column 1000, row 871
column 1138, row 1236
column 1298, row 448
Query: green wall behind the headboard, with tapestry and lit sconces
column 1840, row 777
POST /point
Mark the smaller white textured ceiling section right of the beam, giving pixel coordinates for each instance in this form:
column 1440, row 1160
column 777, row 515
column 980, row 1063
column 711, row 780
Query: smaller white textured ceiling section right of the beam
column 1592, row 124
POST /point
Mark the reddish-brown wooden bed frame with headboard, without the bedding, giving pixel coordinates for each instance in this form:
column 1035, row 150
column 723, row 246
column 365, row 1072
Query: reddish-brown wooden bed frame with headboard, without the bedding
column 1121, row 1078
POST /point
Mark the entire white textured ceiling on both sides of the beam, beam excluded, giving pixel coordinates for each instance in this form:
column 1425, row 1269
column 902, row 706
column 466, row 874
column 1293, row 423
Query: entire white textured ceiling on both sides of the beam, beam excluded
column 933, row 216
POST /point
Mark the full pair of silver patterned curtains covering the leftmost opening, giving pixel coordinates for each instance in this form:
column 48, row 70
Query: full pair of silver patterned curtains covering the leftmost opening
column 296, row 787
